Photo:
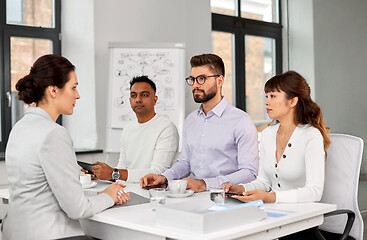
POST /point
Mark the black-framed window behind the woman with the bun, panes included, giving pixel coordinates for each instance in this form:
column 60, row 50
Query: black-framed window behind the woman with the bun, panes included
column 28, row 30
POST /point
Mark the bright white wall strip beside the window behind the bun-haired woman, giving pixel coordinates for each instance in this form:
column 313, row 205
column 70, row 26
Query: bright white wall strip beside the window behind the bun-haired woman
column 77, row 30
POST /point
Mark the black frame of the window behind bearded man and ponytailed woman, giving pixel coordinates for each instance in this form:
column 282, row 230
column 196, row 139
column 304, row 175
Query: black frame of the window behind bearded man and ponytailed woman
column 240, row 27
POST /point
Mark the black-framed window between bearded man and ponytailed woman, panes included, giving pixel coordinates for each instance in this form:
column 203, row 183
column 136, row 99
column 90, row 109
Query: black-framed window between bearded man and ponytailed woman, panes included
column 247, row 34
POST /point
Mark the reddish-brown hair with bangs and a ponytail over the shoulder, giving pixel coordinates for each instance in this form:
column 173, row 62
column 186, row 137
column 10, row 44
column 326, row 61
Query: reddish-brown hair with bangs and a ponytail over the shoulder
column 307, row 111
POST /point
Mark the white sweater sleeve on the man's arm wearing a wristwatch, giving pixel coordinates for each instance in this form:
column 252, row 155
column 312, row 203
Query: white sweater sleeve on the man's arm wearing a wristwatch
column 165, row 149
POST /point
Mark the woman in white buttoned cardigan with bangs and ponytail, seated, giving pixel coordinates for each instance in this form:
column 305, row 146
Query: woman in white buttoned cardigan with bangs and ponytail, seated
column 292, row 149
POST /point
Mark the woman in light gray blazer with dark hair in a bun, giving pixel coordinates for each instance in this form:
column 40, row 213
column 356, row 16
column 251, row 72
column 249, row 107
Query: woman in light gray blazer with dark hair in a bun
column 46, row 197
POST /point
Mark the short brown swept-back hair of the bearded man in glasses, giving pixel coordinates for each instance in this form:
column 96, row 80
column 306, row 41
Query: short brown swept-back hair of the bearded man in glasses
column 213, row 61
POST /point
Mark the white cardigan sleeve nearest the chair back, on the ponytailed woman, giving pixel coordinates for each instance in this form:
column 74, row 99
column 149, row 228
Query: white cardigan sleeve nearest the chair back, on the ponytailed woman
column 315, row 173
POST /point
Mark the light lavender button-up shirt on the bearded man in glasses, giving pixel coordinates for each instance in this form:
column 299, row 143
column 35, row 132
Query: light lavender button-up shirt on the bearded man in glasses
column 219, row 147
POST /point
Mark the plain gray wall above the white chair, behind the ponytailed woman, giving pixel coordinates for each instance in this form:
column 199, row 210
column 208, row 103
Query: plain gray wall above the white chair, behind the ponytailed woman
column 340, row 65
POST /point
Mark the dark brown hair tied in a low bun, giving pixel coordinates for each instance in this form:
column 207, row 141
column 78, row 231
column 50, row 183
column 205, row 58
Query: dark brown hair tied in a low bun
column 48, row 70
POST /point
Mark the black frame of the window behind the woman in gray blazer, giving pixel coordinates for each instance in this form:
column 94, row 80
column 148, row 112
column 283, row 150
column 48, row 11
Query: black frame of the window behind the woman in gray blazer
column 12, row 30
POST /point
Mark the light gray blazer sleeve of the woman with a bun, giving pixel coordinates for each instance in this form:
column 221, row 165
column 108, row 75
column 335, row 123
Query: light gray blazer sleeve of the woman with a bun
column 59, row 164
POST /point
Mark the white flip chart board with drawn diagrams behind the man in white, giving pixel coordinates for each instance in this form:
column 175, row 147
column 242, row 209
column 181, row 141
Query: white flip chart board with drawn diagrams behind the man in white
column 161, row 62
